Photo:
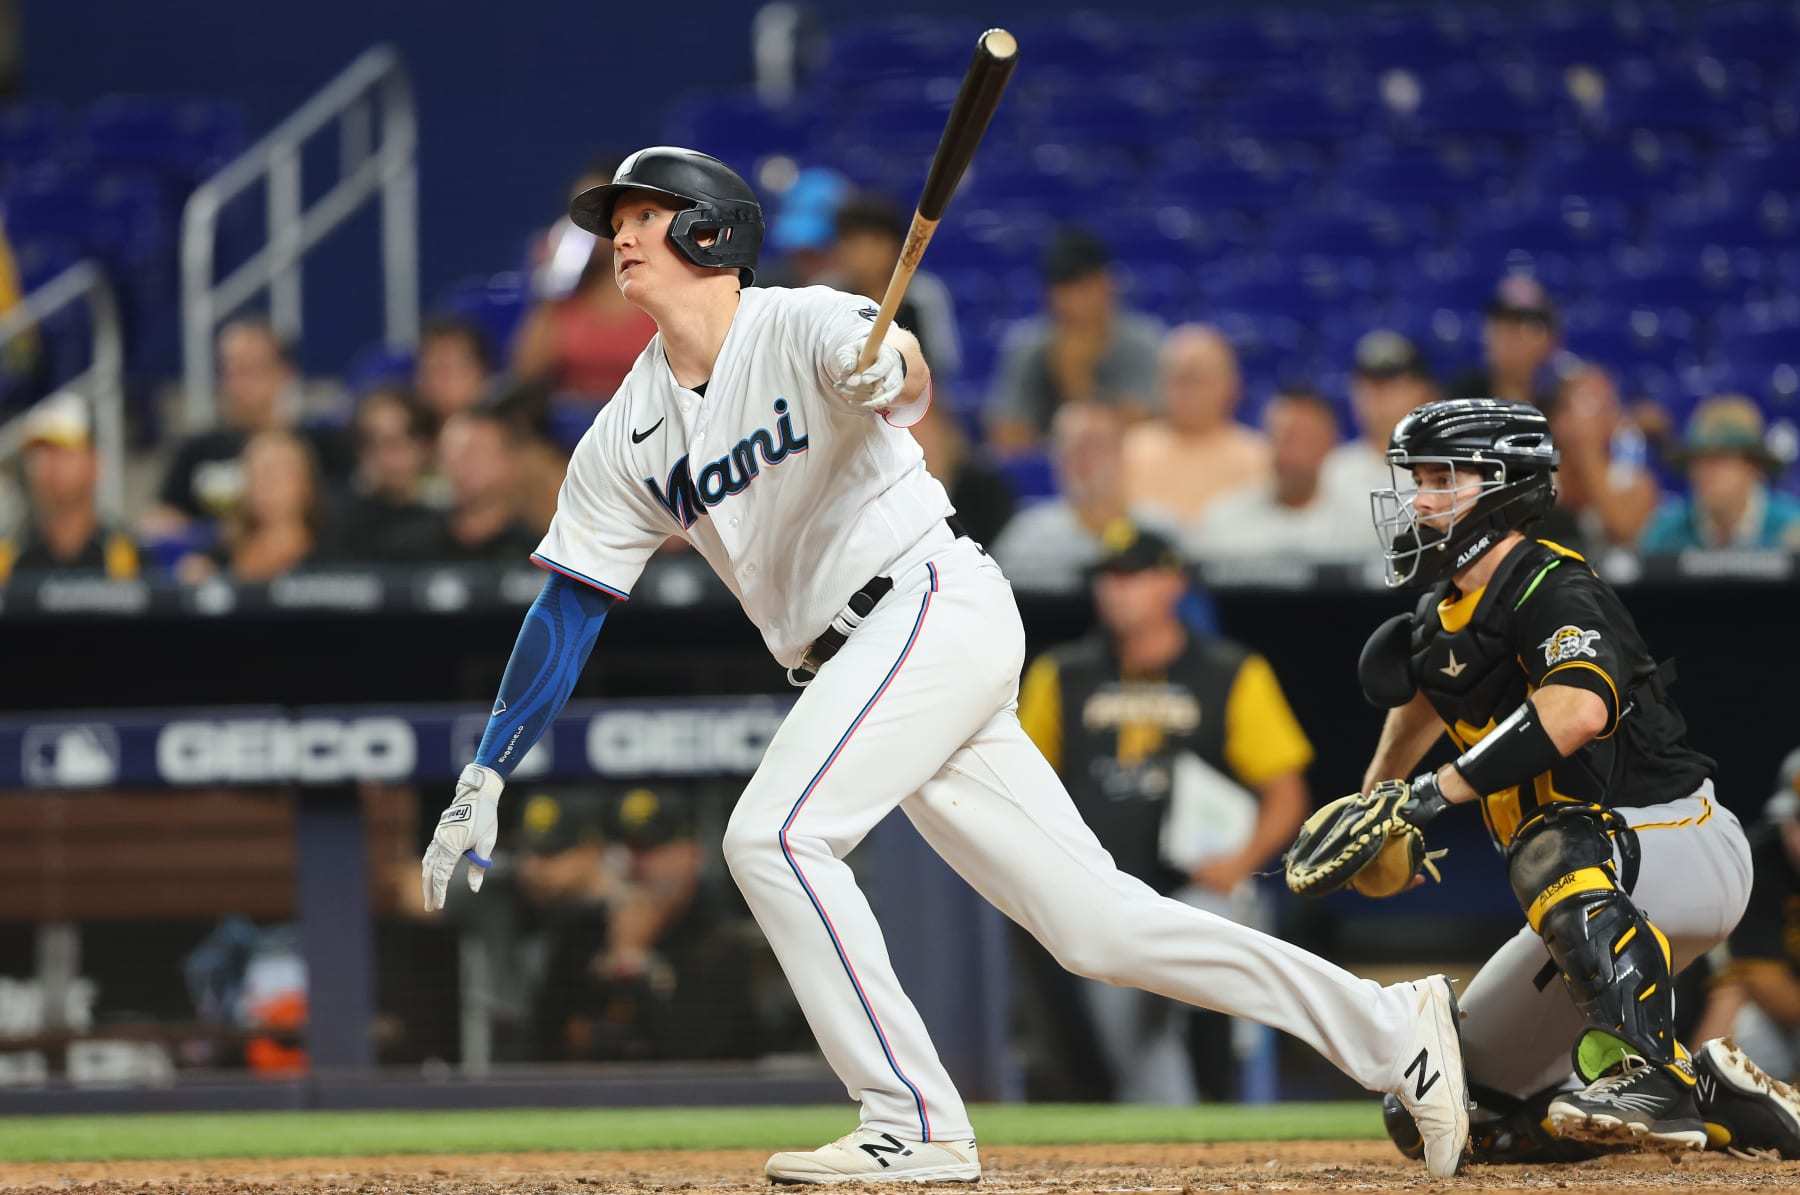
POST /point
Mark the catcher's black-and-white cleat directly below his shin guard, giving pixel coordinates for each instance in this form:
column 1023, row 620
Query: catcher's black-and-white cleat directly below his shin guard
column 1639, row 1104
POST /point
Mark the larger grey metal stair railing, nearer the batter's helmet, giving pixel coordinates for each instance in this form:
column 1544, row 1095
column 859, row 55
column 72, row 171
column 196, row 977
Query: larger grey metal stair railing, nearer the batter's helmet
column 372, row 93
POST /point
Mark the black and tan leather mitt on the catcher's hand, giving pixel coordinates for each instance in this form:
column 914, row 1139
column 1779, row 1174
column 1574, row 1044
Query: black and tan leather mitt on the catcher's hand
column 1363, row 843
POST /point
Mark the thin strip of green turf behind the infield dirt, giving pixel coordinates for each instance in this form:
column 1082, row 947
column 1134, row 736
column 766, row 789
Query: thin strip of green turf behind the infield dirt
column 521, row 1131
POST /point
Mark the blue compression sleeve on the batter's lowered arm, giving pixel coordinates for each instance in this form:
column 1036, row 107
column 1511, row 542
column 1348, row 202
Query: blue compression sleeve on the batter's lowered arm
column 552, row 651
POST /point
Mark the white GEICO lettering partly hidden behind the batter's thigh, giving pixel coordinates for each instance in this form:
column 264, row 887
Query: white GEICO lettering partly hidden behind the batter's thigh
column 681, row 742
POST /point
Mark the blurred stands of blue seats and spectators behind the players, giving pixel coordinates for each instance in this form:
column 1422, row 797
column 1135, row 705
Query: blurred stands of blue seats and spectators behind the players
column 1198, row 274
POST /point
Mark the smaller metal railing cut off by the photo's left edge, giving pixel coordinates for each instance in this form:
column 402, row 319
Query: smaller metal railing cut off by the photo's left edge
column 102, row 382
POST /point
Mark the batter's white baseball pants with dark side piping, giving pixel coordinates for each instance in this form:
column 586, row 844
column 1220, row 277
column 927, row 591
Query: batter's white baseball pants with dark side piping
column 919, row 712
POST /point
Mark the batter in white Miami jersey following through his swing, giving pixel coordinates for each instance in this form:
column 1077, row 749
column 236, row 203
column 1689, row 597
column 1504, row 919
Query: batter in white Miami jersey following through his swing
column 746, row 429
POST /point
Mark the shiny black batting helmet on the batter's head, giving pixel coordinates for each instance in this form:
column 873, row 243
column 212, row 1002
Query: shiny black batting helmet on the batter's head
column 717, row 201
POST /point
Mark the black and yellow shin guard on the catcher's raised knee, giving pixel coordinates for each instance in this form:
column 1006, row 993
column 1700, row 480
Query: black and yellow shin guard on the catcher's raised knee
column 1615, row 962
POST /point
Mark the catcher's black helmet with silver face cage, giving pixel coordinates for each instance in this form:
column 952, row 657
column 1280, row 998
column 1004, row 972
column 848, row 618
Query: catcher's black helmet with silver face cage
column 1506, row 445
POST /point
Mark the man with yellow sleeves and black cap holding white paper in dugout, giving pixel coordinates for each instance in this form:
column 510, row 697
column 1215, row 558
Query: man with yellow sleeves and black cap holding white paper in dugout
column 1187, row 762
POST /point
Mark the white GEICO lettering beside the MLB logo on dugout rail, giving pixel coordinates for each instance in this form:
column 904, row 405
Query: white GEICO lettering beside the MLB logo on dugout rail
column 309, row 751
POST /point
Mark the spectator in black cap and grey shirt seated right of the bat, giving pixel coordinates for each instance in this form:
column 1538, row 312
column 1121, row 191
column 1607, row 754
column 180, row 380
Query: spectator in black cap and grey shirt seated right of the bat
column 1086, row 350
